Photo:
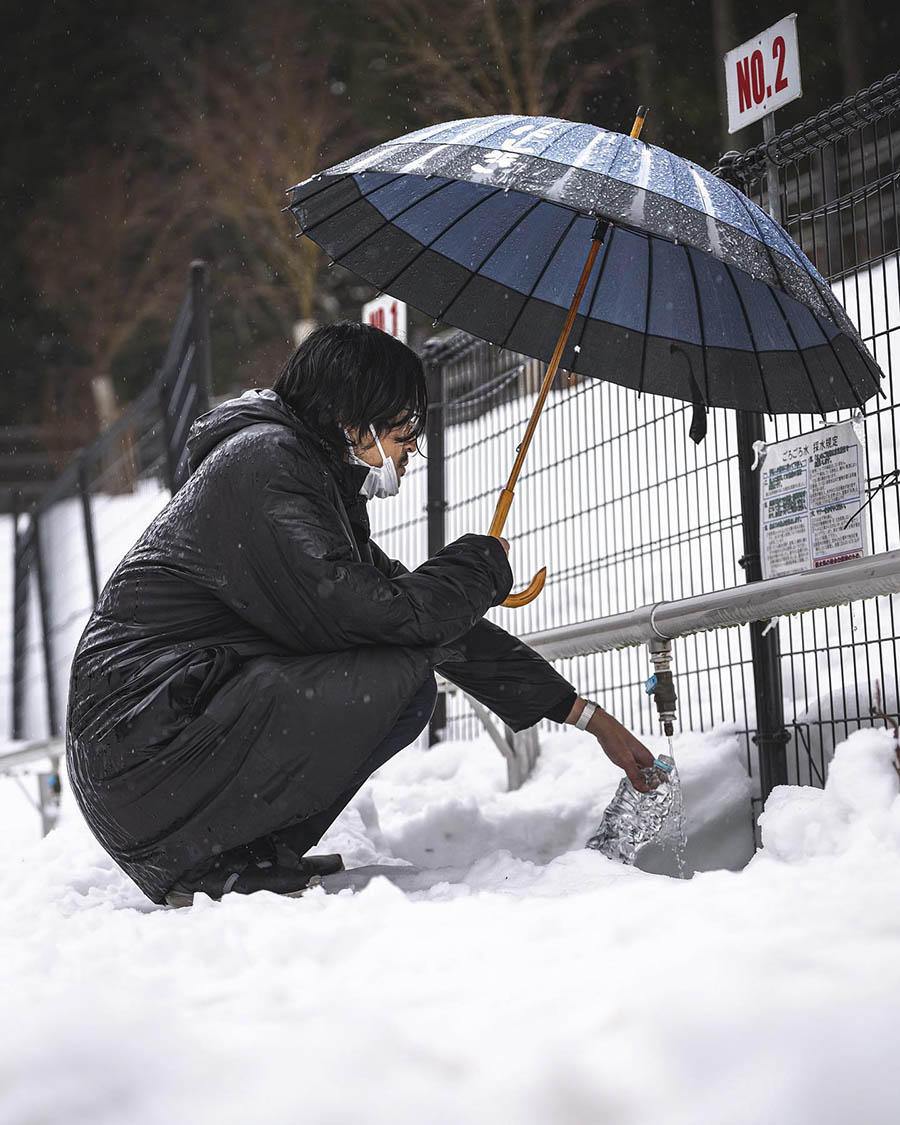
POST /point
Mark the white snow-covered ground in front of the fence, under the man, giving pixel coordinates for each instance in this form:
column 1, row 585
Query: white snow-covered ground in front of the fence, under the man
column 544, row 985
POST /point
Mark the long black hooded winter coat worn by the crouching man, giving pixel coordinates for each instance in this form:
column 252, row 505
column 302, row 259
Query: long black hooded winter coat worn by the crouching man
column 255, row 646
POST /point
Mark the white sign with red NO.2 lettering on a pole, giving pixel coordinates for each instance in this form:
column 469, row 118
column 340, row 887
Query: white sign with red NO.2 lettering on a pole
column 763, row 75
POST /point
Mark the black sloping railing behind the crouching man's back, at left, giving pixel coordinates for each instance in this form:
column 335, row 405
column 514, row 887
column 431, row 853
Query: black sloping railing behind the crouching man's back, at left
column 69, row 542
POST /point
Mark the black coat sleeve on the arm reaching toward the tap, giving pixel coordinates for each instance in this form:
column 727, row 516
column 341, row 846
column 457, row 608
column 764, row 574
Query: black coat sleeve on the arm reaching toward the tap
column 500, row 671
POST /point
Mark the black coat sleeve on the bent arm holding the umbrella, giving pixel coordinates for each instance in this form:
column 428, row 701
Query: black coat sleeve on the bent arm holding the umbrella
column 295, row 575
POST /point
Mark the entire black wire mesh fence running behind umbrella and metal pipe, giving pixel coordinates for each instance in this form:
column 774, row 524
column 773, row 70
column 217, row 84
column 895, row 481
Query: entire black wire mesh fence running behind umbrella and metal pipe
column 625, row 510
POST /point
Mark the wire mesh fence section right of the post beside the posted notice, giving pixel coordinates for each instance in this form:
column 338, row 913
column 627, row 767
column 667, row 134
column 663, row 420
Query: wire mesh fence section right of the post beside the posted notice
column 839, row 200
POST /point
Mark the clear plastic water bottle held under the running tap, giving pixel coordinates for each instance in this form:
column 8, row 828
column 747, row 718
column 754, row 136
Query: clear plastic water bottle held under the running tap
column 634, row 820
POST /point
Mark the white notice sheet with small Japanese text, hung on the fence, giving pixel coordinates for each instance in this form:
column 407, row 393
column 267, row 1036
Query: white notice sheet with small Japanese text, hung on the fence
column 812, row 490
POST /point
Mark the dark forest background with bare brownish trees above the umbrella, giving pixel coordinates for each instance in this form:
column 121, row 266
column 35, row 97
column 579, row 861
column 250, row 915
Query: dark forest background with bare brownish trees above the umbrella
column 138, row 137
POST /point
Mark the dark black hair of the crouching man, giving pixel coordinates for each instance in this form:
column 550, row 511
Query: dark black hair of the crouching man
column 354, row 375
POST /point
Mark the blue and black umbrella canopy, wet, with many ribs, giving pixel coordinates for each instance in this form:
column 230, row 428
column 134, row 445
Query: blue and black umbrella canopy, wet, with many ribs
column 697, row 294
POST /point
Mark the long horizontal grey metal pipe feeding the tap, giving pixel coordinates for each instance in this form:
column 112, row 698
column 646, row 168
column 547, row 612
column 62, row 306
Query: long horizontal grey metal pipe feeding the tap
column 739, row 606
